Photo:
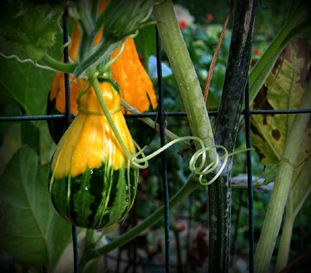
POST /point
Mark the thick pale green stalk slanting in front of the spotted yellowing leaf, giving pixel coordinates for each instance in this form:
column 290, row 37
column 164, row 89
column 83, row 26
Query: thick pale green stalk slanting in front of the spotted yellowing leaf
column 280, row 191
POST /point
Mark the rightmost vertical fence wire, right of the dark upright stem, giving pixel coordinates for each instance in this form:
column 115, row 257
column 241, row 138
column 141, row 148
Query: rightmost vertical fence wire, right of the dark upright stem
column 249, row 180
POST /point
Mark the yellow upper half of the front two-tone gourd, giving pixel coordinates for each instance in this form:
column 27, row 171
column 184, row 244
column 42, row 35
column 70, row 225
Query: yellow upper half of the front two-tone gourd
column 89, row 140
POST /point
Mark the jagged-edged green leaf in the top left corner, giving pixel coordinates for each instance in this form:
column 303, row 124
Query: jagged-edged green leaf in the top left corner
column 26, row 29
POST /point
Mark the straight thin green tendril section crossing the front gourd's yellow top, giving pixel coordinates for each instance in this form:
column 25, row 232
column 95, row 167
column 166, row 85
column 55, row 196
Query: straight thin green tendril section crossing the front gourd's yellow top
column 95, row 84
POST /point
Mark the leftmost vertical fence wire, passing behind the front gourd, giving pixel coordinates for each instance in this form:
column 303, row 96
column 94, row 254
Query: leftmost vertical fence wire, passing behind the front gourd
column 68, row 121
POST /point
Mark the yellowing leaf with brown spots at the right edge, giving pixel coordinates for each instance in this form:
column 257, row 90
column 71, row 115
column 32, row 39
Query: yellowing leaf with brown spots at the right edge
column 282, row 90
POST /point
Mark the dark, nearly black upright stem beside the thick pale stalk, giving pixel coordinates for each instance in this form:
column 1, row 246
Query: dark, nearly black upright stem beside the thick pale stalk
column 227, row 126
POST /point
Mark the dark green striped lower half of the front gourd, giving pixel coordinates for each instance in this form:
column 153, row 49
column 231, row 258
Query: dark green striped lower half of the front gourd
column 96, row 198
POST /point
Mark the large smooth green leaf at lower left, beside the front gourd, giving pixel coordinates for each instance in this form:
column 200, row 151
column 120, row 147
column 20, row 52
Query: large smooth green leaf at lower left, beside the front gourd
column 31, row 229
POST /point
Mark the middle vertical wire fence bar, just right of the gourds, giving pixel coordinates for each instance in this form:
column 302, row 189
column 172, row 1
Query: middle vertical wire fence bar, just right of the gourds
column 164, row 158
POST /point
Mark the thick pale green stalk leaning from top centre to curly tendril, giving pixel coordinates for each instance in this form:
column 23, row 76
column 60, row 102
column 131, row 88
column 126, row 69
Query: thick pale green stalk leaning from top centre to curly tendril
column 184, row 72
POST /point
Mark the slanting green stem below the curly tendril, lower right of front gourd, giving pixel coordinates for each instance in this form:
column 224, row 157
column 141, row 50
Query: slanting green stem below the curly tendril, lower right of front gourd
column 184, row 192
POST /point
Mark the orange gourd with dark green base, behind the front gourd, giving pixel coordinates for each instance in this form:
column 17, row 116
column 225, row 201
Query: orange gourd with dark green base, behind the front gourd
column 128, row 72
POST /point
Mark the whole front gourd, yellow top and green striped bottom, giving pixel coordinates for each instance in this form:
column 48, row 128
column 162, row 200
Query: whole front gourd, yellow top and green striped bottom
column 91, row 183
